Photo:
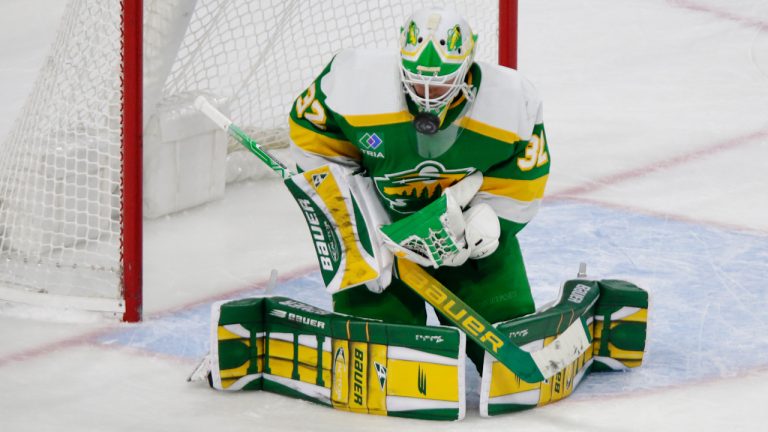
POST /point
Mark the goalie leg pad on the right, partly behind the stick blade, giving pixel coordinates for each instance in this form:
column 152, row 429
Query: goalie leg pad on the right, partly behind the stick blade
column 615, row 312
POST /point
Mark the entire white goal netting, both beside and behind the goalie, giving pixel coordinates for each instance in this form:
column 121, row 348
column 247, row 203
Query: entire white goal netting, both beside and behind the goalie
column 60, row 166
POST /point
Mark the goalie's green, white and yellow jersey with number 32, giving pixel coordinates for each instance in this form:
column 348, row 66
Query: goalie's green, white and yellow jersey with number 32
column 356, row 114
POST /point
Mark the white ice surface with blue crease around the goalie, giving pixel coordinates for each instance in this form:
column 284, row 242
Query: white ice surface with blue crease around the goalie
column 657, row 119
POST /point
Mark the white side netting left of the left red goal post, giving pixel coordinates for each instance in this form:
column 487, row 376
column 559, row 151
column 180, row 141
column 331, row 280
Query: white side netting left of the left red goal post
column 59, row 171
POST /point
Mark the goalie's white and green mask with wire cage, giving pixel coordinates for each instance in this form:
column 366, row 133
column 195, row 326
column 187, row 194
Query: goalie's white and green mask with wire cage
column 436, row 52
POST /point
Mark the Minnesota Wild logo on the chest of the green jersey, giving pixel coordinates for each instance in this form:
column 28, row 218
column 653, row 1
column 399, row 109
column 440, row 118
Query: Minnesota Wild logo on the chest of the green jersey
column 410, row 190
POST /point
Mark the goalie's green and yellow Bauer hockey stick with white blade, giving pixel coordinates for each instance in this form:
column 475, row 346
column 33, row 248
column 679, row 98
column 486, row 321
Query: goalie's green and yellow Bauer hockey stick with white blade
column 530, row 366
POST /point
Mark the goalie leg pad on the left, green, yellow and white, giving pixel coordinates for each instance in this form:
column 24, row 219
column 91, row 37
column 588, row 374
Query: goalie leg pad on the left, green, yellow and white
column 349, row 363
